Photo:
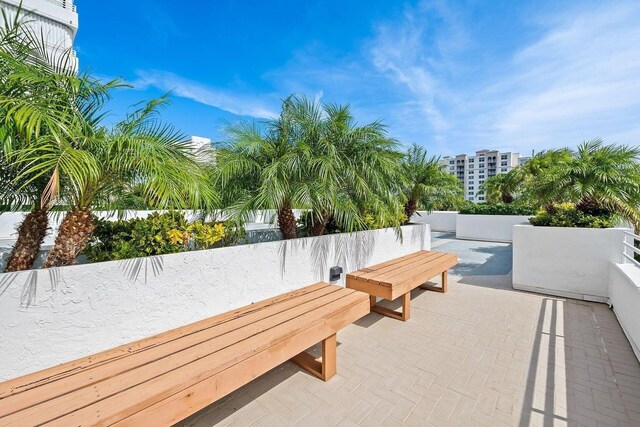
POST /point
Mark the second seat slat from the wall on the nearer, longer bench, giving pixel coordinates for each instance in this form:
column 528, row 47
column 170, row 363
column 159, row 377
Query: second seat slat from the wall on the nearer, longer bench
column 239, row 325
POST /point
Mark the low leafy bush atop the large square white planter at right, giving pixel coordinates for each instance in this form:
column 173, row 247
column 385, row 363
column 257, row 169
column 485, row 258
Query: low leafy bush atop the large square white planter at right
column 567, row 215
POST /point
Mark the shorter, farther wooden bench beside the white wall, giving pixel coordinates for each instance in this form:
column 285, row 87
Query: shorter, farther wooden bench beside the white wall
column 397, row 277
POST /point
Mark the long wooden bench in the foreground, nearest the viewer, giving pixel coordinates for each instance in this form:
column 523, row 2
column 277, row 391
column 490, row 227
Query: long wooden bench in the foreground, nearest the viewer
column 165, row 378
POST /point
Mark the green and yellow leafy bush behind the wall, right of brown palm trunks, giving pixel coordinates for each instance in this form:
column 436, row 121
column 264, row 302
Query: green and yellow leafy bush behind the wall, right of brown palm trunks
column 157, row 234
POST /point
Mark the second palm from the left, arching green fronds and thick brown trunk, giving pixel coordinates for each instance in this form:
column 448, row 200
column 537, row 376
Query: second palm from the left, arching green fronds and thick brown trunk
column 140, row 149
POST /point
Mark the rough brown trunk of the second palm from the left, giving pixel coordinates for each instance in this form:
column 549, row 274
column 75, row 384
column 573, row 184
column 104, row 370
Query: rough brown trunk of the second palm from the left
column 75, row 231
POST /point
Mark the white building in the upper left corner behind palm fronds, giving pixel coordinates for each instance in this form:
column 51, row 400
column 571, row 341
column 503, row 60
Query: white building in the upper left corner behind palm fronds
column 56, row 20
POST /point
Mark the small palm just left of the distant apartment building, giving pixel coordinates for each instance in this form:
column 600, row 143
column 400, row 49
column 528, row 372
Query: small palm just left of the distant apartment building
column 427, row 181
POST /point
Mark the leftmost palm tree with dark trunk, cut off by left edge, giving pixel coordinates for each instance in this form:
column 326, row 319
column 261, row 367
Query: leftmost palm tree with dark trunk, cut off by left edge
column 41, row 98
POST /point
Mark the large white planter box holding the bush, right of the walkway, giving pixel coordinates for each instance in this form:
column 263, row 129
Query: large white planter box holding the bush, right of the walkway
column 570, row 262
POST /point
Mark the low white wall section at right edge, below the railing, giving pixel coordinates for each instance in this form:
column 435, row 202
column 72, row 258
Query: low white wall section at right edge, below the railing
column 624, row 296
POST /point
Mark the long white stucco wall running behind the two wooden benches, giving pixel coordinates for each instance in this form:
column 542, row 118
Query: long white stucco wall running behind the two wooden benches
column 52, row 316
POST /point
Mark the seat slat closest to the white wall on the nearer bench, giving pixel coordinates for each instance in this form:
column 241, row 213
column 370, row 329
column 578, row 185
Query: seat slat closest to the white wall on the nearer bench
column 36, row 379
